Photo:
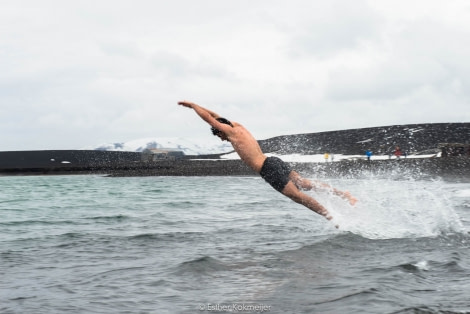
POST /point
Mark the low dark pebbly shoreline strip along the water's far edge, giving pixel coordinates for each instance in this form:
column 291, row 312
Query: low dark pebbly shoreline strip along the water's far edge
column 455, row 169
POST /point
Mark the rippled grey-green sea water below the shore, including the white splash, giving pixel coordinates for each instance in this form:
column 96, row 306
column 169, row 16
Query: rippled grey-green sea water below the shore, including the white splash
column 96, row 244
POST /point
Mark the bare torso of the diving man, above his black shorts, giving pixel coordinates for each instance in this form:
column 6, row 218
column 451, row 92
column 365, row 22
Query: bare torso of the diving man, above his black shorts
column 246, row 146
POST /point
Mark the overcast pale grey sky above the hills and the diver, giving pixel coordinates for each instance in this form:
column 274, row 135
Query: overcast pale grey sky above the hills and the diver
column 79, row 73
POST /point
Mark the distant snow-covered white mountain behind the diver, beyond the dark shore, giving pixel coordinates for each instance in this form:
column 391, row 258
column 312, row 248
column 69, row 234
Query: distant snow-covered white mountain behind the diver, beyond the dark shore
column 188, row 146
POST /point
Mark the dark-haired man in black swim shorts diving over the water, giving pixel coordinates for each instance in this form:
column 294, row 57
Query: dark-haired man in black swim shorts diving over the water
column 272, row 169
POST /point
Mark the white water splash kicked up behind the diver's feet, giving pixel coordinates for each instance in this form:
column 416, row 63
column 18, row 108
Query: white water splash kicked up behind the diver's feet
column 390, row 208
